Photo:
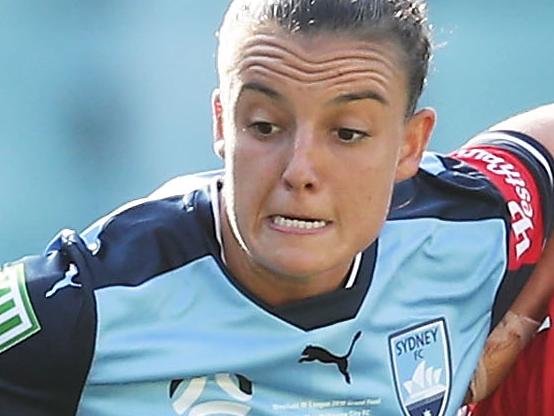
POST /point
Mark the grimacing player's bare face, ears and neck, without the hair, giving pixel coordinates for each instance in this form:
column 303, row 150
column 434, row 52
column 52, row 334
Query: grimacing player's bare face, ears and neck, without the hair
column 314, row 134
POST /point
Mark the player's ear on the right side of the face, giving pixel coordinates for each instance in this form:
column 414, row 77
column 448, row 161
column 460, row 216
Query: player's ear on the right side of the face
column 418, row 132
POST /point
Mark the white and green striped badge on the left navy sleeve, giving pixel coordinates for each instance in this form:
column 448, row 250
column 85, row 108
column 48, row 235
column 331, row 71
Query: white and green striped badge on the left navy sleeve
column 17, row 317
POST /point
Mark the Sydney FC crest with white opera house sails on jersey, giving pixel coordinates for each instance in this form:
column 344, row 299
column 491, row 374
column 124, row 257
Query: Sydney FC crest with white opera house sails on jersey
column 420, row 358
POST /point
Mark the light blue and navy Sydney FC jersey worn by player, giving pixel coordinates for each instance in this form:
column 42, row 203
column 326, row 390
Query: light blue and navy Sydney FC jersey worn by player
column 140, row 316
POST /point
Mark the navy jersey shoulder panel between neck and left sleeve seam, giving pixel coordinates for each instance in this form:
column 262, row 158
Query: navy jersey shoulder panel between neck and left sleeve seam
column 145, row 238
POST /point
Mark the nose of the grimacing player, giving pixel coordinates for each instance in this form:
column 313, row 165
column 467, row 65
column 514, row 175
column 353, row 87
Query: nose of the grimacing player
column 301, row 171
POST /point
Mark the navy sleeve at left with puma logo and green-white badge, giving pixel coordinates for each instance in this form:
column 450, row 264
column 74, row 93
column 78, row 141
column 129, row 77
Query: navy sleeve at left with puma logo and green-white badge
column 47, row 330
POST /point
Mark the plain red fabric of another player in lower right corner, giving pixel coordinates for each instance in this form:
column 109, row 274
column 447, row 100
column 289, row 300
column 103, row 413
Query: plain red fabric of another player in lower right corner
column 529, row 386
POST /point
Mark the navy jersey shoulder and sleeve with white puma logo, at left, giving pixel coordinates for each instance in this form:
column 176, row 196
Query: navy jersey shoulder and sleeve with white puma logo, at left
column 49, row 303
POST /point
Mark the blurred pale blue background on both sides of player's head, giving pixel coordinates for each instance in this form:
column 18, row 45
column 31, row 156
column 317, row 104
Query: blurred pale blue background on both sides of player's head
column 101, row 101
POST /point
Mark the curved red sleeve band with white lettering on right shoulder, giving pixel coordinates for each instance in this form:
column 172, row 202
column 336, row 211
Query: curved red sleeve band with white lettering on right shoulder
column 520, row 189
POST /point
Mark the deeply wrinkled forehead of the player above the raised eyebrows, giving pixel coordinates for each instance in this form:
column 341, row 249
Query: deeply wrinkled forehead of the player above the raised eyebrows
column 330, row 62
